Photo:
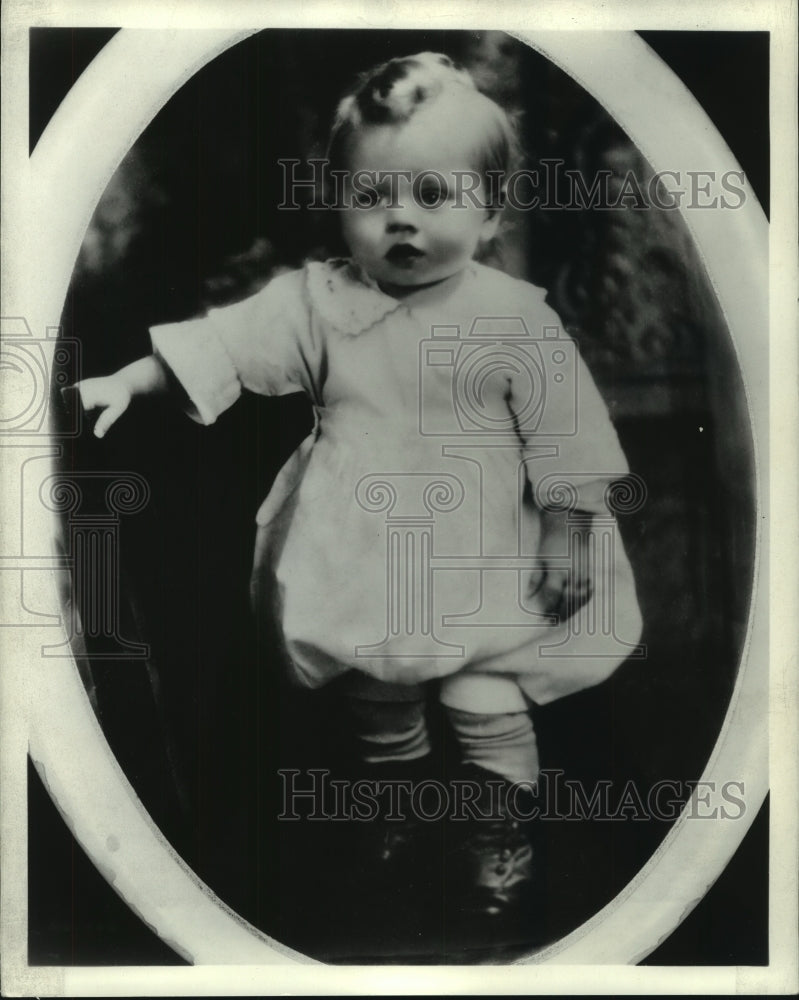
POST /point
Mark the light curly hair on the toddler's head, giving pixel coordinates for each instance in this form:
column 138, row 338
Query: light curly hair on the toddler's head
column 392, row 93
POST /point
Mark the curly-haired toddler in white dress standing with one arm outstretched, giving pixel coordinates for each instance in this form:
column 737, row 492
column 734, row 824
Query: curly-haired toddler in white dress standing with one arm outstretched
column 345, row 558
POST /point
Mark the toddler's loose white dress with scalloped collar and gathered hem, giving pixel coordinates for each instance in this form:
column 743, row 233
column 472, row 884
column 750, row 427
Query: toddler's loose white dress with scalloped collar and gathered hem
column 401, row 537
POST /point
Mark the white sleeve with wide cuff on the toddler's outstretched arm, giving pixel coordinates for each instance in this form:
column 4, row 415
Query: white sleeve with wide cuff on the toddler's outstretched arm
column 266, row 344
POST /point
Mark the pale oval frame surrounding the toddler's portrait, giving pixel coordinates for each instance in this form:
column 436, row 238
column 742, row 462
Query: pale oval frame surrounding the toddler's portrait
column 144, row 69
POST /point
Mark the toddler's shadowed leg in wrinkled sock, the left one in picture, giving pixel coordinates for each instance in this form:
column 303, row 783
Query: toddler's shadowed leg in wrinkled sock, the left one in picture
column 387, row 720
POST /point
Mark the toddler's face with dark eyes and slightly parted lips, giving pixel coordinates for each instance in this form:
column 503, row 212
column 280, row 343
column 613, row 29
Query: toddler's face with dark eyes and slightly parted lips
column 416, row 234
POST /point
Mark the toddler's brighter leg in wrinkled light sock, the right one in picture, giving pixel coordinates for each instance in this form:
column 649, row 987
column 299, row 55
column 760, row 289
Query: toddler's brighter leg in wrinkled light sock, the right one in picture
column 492, row 724
